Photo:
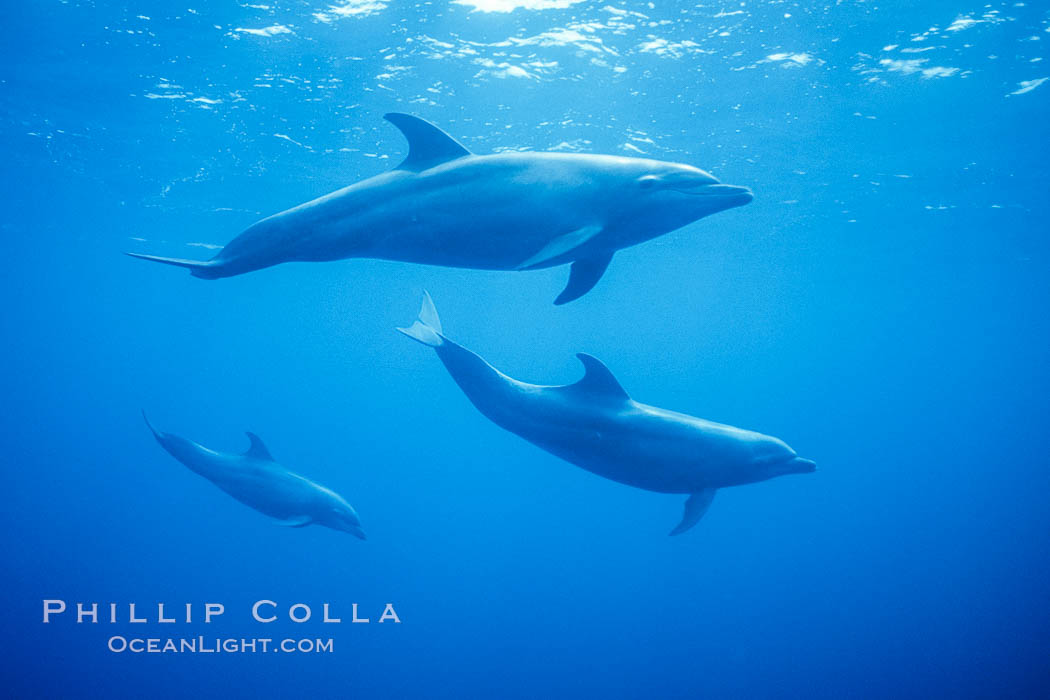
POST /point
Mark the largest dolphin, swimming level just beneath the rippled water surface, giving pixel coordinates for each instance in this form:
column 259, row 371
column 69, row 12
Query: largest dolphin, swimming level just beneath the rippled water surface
column 448, row 207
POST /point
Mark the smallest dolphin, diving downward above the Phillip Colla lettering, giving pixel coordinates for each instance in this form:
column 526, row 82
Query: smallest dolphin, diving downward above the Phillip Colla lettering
column 259, row 482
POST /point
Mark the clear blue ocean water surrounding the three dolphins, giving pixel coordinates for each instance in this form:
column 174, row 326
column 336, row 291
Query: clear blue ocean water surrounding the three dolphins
column 883, row 306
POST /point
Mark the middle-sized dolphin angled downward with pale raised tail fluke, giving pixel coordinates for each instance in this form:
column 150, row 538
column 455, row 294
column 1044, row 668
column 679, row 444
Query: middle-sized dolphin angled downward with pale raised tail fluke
column 596, row 426
